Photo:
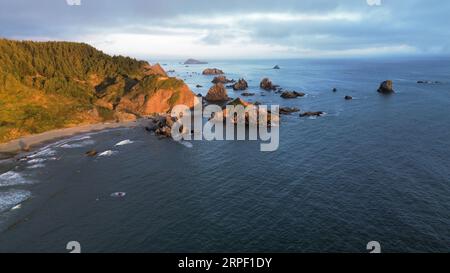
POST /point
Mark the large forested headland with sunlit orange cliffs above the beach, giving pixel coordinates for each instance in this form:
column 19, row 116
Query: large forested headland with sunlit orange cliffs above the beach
column 51, row 85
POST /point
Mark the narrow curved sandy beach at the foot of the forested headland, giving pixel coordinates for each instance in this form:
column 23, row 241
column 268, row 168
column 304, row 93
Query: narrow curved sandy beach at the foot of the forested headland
column 15, row 147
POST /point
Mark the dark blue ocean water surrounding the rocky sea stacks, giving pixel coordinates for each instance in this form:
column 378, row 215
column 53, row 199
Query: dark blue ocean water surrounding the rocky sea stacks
column 375, row 168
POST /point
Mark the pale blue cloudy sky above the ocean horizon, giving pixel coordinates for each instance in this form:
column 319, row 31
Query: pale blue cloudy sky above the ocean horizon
column 236, row 28
